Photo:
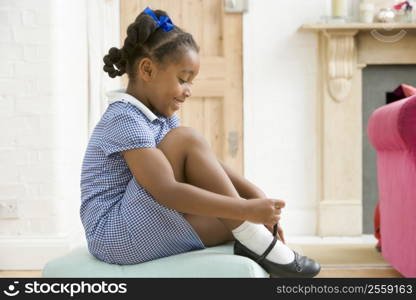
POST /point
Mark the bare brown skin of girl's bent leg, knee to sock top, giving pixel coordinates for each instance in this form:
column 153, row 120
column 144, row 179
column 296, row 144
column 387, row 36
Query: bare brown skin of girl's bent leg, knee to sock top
column 193, row 162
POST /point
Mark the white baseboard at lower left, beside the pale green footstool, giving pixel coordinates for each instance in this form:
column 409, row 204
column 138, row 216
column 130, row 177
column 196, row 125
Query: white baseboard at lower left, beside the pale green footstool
column 31, row 253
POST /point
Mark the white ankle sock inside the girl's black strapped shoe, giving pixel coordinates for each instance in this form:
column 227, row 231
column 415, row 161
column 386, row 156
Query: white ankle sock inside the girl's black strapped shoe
column 257, row 238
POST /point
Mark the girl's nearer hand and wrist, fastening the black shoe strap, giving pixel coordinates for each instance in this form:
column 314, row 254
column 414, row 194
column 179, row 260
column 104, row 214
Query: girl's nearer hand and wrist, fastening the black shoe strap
column 263, row 210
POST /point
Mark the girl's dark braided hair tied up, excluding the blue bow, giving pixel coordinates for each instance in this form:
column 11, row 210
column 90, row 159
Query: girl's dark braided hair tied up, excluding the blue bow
column 144, row 39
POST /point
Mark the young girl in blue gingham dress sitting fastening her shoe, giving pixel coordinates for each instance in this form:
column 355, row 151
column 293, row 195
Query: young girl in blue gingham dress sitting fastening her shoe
column 151, row 188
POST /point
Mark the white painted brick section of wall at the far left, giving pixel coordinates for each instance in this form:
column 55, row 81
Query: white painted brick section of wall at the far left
column 25, row 129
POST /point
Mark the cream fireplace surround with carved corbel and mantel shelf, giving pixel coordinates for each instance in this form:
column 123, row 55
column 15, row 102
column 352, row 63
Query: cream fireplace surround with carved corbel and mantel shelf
column 344, row 50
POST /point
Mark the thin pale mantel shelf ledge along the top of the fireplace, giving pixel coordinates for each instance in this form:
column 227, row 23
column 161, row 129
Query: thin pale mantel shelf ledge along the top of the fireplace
column 358, row 26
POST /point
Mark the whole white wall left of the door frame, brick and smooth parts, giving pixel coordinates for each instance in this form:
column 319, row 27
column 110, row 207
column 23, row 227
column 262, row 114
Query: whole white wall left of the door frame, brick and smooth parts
column 43, row 85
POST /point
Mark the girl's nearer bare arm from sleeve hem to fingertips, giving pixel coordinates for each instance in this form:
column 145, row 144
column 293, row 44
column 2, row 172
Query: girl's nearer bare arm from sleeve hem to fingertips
column 153, row 171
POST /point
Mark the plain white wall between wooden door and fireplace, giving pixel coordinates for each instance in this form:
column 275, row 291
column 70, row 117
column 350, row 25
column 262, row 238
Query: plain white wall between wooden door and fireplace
column 280, row 71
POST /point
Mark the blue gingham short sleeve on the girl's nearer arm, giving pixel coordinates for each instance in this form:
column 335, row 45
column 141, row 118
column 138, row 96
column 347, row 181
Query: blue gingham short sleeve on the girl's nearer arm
column 125, row 131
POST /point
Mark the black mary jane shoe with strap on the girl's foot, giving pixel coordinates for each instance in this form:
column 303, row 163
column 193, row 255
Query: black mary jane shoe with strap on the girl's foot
column 301, row 267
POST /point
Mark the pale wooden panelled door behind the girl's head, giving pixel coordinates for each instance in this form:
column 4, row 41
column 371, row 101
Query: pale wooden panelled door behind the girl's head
column 216, row 106
